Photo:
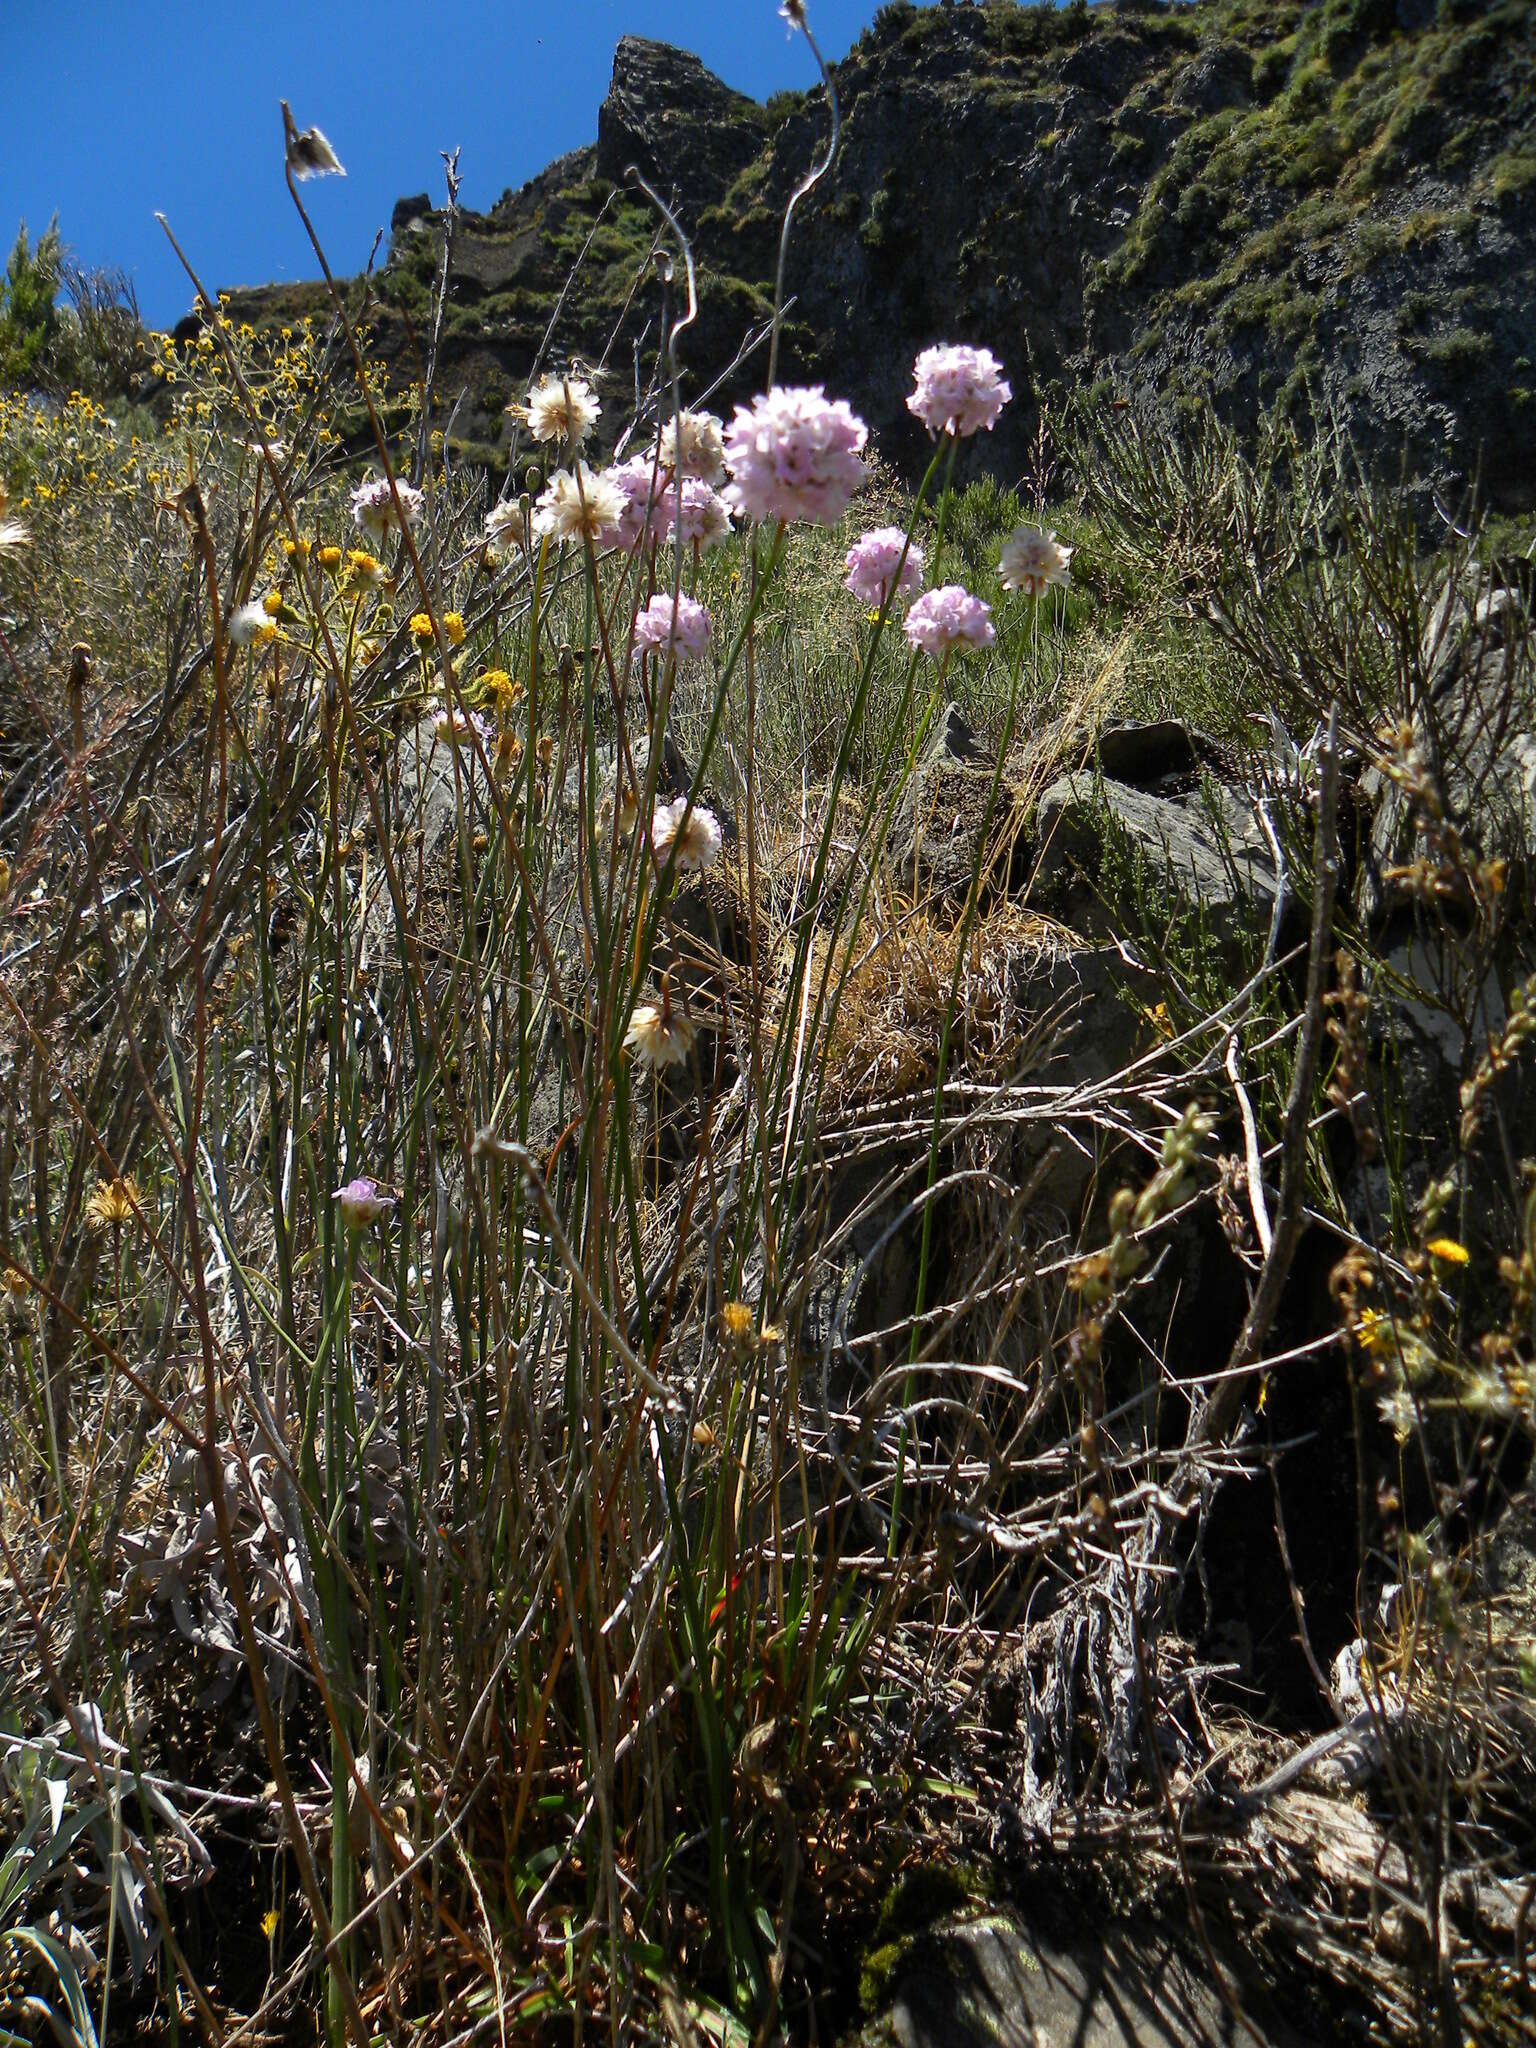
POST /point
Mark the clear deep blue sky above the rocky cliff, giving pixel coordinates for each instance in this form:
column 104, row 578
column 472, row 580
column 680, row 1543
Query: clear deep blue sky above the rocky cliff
column 122, row 108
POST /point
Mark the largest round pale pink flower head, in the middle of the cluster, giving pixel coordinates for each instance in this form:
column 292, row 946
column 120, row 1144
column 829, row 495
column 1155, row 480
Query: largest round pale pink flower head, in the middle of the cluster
column 796, row 456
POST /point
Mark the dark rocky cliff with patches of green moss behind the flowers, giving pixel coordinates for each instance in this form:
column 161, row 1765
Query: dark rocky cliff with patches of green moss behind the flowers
column 1246, row 202
